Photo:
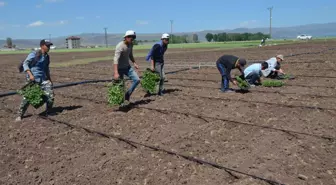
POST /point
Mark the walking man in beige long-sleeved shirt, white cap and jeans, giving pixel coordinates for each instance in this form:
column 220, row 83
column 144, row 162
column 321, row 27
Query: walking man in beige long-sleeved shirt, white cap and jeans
column 123, row 54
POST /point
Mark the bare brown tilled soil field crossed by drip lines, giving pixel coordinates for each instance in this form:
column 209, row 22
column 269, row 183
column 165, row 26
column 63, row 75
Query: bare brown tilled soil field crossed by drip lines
column 268, row 135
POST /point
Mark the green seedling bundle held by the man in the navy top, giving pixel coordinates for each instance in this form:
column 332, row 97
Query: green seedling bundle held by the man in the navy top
column 150, row 81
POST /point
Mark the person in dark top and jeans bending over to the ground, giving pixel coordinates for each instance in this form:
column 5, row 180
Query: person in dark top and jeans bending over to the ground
column 224, row 65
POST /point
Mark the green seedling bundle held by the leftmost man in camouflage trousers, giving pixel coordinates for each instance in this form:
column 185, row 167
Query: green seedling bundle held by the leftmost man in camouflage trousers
column 33, row 93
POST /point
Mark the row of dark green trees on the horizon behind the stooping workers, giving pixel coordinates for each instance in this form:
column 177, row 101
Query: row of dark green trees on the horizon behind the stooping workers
column 222, row 37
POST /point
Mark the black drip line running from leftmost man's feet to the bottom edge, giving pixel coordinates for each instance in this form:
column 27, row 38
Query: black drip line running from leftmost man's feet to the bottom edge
column 157, row 148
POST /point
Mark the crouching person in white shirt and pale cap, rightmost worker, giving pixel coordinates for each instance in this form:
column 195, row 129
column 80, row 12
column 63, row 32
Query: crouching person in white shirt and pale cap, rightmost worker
column 274, row 67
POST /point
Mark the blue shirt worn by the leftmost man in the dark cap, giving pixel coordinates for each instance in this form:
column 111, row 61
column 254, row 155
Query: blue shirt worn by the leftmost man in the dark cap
column 39, row 68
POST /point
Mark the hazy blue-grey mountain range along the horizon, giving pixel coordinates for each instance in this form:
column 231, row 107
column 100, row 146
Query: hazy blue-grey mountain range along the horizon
column 316, row 30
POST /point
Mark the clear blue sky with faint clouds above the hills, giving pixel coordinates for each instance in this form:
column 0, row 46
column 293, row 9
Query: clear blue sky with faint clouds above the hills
column 34, row 19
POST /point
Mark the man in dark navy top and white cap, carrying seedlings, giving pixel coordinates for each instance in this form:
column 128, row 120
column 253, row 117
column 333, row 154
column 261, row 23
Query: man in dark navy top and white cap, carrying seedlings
column 155, row 55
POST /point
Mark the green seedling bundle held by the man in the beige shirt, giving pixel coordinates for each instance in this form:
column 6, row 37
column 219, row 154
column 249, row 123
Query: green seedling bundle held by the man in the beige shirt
column 116, row 92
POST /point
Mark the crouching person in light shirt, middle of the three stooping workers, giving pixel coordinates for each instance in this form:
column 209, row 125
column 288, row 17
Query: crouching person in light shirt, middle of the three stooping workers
column 254, row 72
